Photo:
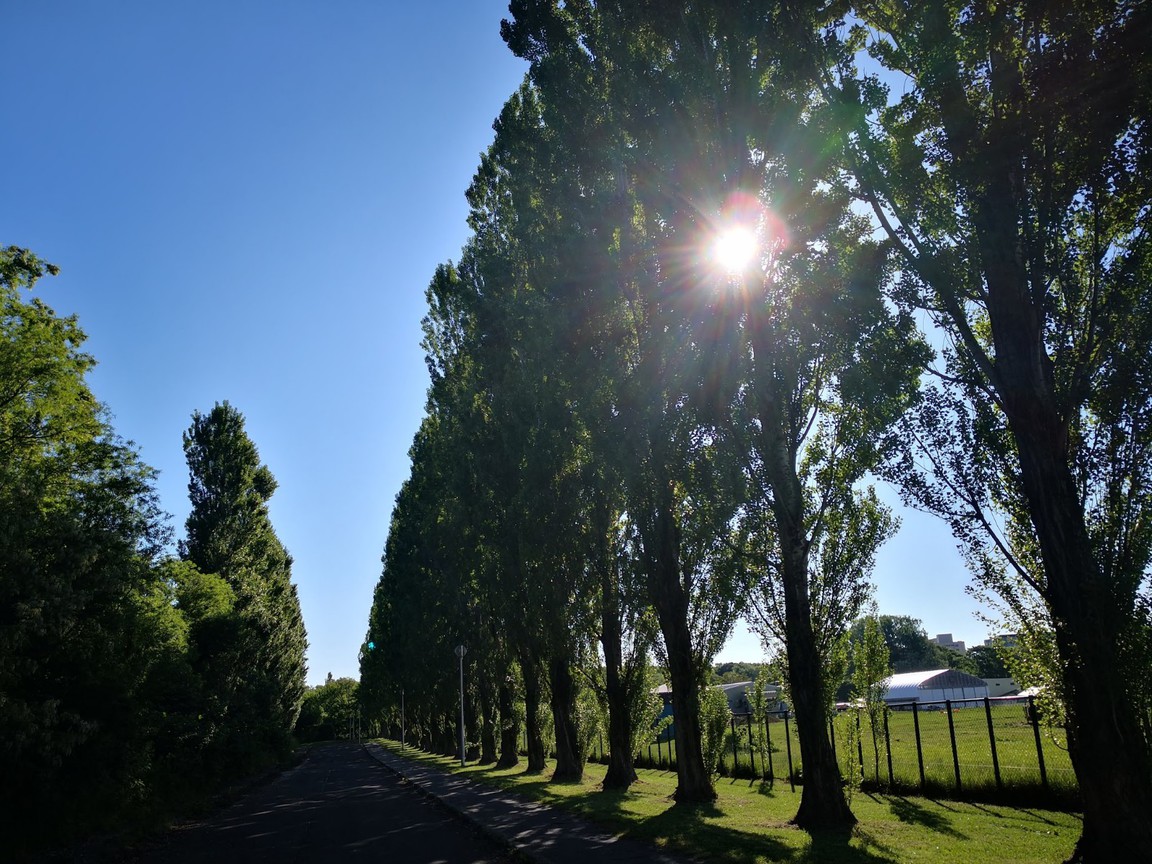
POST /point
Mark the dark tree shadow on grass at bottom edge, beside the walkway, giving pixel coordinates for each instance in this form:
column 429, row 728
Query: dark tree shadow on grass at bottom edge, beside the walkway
column 692, row 828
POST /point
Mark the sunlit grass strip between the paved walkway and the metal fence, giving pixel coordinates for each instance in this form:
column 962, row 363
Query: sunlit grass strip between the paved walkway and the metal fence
column 749, row 822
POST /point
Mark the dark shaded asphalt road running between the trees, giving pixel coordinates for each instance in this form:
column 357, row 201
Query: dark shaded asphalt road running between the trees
column 338, row 806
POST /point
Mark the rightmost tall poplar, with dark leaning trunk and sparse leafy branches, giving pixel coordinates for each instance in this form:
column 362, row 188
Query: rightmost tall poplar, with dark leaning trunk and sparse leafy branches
column 1012, row 177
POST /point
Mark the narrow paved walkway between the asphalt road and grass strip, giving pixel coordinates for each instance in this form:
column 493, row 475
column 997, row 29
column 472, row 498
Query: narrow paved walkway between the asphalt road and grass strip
column 536, row 831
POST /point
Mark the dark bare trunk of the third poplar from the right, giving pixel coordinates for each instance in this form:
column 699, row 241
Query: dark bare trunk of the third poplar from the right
column 694, row 783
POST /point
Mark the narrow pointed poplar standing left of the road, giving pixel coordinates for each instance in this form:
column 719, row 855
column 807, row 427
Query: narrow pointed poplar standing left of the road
column 230, row 533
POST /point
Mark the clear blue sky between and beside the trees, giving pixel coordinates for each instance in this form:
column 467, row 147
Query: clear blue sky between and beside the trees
column 247, row 201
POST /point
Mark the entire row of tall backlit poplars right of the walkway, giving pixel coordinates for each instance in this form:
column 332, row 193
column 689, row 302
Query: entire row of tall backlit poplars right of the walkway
column 626, row 446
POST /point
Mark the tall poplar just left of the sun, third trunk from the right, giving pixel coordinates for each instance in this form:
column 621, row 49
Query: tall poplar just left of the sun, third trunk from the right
column 640, row 331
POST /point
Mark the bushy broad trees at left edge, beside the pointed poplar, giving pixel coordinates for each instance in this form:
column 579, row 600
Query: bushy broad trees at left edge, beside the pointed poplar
column 103, row 708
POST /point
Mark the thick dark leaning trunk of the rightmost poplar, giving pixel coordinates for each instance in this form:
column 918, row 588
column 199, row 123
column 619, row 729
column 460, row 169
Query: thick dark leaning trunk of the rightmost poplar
column 1092, row 613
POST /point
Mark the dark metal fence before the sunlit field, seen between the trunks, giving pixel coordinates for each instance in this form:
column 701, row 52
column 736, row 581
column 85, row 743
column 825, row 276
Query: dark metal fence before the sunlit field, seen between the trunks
column 979, row 749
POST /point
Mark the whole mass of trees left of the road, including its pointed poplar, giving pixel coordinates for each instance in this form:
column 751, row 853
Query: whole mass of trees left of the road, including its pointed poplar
column 133, row 683
